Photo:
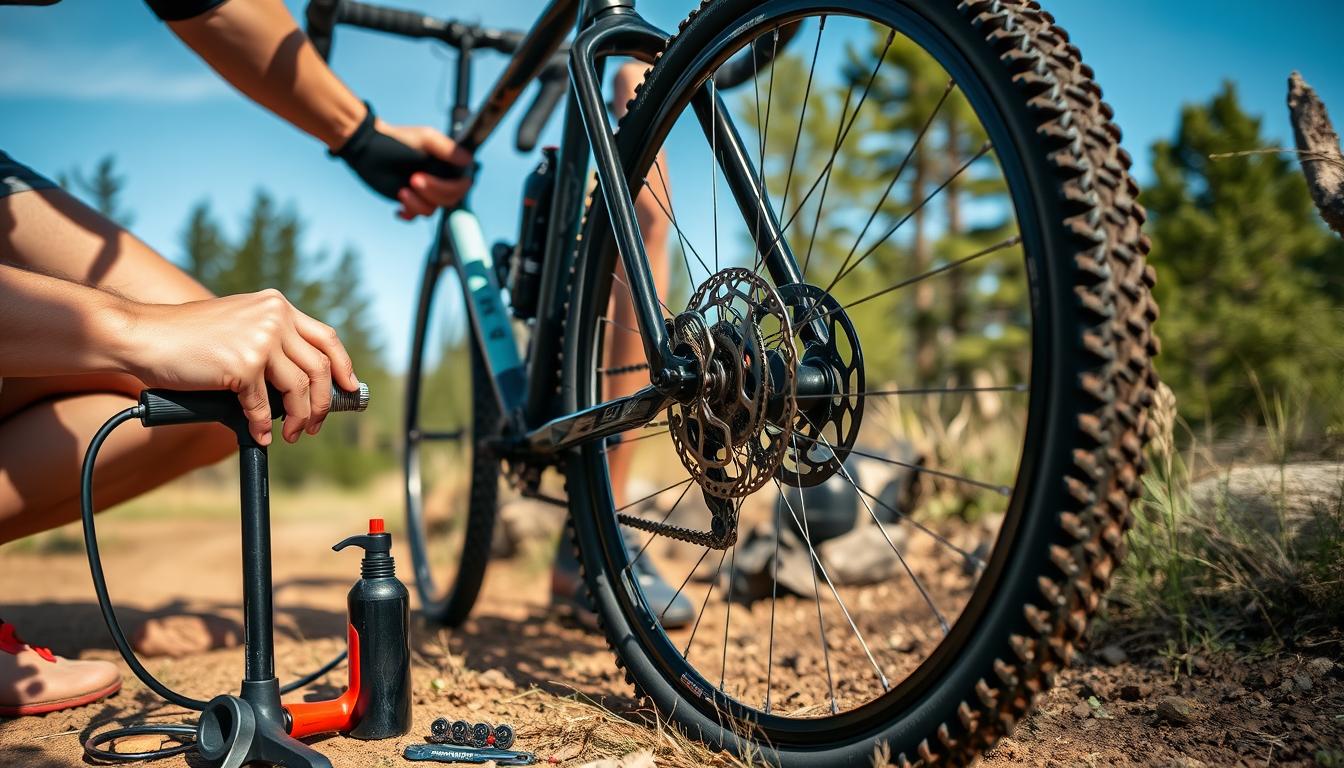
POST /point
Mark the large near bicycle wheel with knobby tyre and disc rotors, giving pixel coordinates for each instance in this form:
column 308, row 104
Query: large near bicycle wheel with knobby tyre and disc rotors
column 1005, row 334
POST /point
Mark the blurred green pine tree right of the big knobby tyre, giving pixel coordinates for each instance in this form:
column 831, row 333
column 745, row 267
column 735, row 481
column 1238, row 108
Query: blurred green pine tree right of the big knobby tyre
column 1245, row 270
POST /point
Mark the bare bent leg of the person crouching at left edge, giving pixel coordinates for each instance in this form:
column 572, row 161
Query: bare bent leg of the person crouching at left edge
column 46, row 423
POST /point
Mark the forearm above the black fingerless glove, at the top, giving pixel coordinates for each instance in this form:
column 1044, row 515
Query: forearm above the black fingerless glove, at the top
column 259, row 48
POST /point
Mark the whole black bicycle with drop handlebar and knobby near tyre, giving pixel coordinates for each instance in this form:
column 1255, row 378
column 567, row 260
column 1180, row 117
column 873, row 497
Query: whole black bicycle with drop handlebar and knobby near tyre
column 1026, row 348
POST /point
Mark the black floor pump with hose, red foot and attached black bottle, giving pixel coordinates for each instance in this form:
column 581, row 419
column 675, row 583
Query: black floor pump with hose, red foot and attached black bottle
column 255, row 727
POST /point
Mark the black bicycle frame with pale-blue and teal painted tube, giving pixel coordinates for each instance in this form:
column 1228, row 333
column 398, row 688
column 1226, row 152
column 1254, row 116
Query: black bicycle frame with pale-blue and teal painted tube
column 604, row 29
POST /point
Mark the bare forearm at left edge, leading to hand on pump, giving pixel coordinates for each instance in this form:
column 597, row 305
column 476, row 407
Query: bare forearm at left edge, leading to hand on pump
column 54, row 328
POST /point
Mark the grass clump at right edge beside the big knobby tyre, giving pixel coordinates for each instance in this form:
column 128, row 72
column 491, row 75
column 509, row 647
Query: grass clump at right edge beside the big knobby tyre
column 1205, row 576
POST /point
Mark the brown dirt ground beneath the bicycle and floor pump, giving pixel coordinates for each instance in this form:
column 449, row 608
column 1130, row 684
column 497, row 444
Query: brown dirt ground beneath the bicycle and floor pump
column 558, row 684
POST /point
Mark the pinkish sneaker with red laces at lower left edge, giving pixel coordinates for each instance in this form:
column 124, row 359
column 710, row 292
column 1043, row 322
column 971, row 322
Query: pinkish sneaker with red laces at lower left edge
column 36, row 681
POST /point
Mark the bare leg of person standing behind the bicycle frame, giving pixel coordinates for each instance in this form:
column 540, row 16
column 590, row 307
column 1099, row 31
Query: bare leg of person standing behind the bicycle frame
column 624, row 348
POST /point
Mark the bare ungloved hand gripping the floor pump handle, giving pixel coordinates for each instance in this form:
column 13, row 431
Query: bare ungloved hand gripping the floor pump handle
column 240, row 344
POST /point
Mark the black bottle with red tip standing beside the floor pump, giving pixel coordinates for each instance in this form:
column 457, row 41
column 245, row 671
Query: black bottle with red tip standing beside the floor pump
column 380, row 641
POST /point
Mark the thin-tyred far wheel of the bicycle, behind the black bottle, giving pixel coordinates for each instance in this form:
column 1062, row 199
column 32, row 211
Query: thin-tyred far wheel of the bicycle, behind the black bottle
column 451, row 479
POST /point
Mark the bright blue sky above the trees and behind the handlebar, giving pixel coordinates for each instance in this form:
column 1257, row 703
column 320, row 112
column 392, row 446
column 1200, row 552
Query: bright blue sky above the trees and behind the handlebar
column 87, row 79
